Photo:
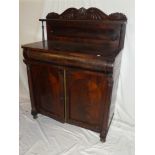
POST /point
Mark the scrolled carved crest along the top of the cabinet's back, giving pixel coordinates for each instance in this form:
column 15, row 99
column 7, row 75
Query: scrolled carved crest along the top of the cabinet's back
column 86, row 14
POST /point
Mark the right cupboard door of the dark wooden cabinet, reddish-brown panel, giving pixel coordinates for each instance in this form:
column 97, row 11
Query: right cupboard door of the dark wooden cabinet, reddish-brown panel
column 86, row 96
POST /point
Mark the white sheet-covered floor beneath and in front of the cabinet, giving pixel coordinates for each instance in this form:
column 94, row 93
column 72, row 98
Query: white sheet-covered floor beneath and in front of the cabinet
column 45, row 136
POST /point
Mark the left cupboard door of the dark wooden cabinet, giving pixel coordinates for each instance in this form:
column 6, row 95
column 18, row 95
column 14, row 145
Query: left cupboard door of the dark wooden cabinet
column 48, row 90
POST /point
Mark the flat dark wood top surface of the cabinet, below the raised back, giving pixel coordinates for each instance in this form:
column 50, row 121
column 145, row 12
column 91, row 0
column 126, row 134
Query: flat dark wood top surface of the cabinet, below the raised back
column 96, row 51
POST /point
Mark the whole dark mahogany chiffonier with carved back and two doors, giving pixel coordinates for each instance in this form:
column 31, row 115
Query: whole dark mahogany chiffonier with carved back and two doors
column 73, row 75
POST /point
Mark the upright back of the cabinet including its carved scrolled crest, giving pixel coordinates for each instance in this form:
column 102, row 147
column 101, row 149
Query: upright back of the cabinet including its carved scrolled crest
column 87, row 26
